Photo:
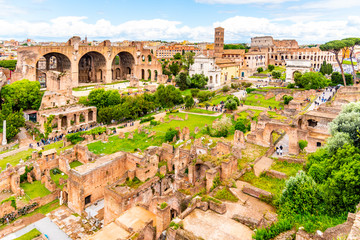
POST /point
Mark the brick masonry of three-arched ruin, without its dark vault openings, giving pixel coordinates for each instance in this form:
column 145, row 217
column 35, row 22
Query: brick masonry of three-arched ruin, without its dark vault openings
column 75, row 49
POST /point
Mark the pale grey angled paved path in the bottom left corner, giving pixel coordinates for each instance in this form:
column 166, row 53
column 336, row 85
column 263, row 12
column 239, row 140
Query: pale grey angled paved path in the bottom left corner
column 45, row 226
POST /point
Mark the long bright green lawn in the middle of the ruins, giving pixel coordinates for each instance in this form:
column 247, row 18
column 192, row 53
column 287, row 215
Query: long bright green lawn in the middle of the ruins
column 142, row 141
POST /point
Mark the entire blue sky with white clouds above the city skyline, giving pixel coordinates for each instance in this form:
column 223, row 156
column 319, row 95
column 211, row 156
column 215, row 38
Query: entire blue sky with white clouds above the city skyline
column 308, row 21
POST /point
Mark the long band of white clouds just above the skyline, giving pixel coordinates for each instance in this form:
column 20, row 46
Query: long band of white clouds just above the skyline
column 237, row 29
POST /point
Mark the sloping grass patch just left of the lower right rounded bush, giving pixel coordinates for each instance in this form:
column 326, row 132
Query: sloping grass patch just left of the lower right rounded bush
column 273, row 185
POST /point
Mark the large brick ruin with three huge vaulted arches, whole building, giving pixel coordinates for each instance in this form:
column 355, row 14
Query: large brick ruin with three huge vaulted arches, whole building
column 77, row 63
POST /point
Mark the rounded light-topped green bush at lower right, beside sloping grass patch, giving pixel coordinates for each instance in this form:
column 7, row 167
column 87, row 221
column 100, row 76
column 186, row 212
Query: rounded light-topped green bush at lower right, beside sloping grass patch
column 301, row 195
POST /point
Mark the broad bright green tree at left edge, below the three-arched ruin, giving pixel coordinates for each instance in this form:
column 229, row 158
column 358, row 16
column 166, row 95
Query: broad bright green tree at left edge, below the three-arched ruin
column 22, row 94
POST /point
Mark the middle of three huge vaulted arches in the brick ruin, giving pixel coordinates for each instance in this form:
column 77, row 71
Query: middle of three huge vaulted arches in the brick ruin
column 92, row 65
